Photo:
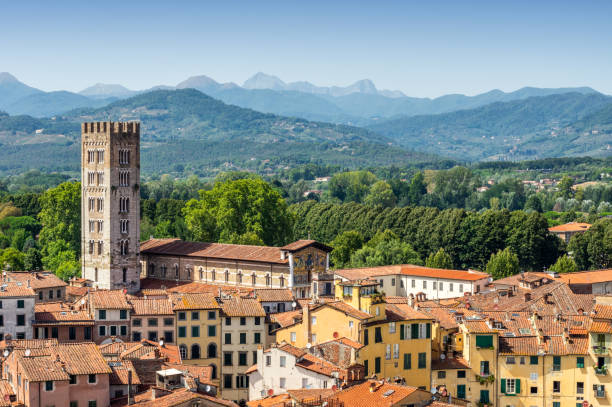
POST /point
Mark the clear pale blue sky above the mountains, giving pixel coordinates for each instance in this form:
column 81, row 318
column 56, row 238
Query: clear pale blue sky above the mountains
column 424, row 48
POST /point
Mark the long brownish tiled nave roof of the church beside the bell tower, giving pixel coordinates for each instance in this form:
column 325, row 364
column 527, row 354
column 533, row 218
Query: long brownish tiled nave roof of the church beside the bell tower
column 177, row 247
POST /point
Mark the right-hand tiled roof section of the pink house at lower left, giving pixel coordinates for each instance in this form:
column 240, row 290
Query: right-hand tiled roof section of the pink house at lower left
column 81, row 358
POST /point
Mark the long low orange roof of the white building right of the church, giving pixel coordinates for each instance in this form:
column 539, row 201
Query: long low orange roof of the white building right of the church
column 411, row 270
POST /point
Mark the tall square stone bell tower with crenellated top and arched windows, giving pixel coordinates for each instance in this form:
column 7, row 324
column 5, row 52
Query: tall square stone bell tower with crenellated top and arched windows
column 110, row 204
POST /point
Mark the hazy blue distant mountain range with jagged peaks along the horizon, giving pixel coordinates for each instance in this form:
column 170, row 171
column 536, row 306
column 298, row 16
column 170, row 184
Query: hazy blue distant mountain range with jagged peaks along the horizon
column 359, row 104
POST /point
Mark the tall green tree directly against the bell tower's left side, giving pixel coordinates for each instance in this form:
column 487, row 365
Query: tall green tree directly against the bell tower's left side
column 60, row 216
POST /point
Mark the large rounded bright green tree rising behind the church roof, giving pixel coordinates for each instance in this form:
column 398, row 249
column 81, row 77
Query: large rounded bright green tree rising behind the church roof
column 235, row 208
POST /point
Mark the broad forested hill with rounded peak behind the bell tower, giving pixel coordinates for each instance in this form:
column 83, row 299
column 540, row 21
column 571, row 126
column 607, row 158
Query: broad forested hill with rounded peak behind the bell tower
column 188, row 129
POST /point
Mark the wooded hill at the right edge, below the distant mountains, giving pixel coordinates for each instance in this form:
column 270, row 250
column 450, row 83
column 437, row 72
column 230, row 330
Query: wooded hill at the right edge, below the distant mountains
column 537, row 127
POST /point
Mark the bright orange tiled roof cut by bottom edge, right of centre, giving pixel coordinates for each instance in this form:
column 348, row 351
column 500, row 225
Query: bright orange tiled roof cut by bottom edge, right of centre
column 361, row 396
